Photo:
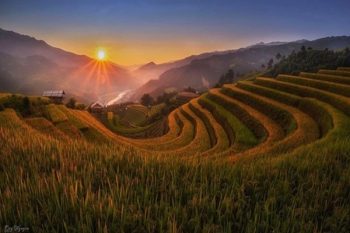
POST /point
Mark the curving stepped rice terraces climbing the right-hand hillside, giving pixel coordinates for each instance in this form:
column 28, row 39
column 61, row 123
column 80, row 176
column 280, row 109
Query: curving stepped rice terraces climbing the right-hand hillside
column 262, row 116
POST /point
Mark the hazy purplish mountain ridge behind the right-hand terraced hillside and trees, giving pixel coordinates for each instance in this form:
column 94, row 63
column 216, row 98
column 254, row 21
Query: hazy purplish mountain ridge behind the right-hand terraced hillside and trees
column 205, row 72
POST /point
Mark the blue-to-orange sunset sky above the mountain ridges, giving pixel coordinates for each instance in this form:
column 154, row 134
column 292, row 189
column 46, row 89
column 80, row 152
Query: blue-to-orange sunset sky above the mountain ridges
column 139, row 31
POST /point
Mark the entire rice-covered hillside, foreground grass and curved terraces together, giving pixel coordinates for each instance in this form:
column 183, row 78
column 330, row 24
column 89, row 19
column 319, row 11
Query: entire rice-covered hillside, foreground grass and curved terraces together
column 287, row 136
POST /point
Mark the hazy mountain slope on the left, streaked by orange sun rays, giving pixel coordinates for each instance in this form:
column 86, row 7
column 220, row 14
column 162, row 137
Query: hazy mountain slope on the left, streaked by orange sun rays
column 30, row 66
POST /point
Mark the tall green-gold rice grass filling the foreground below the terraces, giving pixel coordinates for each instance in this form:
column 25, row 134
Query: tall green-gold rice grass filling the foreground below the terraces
column 76, row 186
